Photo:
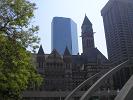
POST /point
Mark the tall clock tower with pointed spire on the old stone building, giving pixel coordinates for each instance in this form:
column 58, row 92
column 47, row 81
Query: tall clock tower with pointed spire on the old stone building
column 87, row 35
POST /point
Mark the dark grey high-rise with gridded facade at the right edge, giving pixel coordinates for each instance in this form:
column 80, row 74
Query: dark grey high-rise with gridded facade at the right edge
column 118, row 24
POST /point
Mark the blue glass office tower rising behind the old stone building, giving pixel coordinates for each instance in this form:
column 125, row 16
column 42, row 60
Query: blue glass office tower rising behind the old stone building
column 64, row 34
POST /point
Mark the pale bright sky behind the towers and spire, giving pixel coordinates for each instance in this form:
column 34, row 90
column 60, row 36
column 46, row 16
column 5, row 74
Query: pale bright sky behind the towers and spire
column 74, row 9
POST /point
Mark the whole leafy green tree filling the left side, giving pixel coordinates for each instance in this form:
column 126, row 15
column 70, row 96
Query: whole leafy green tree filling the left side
column 17, row 71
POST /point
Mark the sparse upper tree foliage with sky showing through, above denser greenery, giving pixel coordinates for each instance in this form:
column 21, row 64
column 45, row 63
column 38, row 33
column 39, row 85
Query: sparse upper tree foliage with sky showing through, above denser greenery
column 15, row 19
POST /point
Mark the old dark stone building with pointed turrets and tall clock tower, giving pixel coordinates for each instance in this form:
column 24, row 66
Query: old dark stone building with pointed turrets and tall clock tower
column 62, row 73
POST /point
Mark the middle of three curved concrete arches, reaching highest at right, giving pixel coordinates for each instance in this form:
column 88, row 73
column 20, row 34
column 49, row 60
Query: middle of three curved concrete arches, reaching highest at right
column 99, row 82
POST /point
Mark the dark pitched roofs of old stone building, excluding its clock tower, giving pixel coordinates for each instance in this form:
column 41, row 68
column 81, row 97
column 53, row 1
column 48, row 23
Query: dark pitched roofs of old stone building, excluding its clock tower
column 92, row 56
